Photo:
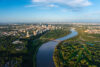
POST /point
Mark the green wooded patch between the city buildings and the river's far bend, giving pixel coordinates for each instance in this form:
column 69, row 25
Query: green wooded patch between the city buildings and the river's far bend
column 54, row 34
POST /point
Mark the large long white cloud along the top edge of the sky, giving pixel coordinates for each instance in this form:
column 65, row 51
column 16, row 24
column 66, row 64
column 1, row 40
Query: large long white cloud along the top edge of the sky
column 72, row 3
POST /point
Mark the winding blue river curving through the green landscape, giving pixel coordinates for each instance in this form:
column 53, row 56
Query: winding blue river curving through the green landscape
column 45, row 52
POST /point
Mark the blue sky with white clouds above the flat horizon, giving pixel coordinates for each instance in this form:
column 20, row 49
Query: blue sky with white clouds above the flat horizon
column 49, row 11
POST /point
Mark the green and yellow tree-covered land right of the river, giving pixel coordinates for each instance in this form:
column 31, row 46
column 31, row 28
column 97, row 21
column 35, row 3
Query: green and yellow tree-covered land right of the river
column 80, row 51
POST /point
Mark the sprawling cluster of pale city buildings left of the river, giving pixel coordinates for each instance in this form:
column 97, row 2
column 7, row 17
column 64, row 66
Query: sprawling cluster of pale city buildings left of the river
column 27, row 30
